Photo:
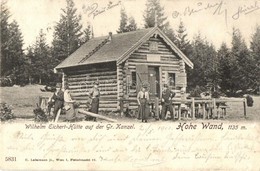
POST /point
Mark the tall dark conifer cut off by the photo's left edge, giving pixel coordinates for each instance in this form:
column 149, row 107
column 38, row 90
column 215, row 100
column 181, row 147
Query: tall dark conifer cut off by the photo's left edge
column 12, row 56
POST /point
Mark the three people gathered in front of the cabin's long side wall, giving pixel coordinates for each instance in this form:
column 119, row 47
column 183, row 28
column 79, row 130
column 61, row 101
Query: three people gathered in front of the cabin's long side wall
column 61, row 98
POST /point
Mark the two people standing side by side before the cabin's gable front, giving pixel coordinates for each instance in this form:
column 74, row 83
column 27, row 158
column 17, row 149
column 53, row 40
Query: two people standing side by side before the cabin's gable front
column 166, row 103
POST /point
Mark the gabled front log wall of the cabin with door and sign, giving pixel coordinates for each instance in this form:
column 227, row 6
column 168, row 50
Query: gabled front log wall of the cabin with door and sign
column 155, row 63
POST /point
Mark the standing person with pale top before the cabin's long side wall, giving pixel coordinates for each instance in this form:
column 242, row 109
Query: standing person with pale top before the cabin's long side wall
column 94, row 95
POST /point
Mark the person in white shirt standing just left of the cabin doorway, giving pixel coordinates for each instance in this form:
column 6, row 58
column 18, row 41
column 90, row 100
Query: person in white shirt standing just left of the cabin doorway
column 143, row 99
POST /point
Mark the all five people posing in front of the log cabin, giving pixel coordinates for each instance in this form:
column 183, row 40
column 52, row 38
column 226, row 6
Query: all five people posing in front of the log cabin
column 61, row 98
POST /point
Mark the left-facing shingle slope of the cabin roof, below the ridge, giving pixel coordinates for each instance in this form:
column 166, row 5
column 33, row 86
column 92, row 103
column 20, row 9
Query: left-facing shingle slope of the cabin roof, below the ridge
column 110, row 51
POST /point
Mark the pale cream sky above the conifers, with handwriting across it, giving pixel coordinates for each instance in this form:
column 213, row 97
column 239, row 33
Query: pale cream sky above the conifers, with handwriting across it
column 213, row 19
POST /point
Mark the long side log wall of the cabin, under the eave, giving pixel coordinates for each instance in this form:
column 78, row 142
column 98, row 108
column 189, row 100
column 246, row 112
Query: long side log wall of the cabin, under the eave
column 80, row 81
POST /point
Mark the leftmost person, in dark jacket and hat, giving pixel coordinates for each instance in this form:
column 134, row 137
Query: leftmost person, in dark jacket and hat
column 58, row 99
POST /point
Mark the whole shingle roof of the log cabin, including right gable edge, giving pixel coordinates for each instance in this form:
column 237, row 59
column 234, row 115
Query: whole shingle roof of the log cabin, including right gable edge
column 98, row 50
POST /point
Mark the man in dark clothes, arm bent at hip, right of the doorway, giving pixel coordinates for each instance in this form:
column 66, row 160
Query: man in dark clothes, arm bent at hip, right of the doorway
column 167, row 96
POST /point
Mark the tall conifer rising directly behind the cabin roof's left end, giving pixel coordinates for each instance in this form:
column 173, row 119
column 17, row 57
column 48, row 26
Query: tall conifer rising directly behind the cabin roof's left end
column 67, row 32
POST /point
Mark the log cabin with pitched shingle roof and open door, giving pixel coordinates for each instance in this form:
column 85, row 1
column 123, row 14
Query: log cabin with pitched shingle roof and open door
column 122, row 63
